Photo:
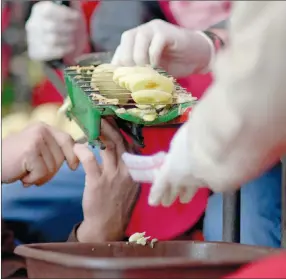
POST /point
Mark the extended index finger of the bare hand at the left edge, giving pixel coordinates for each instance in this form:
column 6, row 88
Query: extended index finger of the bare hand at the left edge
column 66, row 144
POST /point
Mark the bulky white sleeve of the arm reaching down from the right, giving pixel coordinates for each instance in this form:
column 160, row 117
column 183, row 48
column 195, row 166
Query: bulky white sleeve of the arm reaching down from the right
column 238, row 129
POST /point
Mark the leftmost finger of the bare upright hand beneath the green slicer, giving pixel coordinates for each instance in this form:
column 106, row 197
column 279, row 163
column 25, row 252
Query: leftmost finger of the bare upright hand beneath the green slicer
column 88, row 161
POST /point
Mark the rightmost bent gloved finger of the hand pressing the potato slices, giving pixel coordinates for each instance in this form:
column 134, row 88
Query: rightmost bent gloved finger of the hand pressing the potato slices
column 156, row 49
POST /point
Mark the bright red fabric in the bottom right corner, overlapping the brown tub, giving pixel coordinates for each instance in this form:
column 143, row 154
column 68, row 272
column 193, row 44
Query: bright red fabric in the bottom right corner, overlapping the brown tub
column 271, row 267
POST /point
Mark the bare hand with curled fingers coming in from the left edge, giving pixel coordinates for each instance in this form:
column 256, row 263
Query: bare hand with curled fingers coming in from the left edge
column 35, row 154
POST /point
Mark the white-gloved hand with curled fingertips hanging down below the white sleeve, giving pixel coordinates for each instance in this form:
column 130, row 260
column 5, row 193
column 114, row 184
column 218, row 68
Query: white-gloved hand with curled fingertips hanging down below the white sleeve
column 175, row 178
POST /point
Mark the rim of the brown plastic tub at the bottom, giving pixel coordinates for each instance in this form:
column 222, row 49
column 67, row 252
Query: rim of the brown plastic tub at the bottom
column 30, row 251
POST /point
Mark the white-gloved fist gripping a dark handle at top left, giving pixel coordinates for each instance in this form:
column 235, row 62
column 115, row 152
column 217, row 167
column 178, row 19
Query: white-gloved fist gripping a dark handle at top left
column 56, row 31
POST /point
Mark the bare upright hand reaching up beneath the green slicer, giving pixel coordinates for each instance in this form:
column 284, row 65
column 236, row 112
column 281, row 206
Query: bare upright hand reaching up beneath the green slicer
column 109, row 194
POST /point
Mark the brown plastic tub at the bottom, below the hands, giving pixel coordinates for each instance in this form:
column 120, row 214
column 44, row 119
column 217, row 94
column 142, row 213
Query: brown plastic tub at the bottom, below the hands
column 172, row 259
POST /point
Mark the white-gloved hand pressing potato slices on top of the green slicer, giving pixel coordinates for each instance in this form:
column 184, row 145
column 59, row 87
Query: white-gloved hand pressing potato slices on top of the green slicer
column 179, row 51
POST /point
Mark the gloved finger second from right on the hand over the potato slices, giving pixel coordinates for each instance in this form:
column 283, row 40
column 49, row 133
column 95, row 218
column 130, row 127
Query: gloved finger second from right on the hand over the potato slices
column 141, row 49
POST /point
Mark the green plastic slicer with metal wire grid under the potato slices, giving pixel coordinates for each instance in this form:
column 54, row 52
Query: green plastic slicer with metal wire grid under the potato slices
column 87, row 109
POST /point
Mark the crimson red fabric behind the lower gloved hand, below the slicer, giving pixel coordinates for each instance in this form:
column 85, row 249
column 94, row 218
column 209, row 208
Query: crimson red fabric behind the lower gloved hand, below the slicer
column 159, row 222
